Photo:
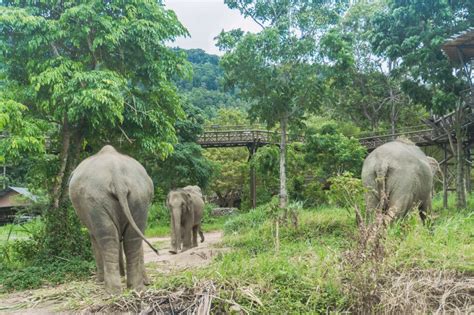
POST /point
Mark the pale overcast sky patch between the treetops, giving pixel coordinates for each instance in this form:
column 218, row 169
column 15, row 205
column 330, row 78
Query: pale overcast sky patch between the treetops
column 205, row 19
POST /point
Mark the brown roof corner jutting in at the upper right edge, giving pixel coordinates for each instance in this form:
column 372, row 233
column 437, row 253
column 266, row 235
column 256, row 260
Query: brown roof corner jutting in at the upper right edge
column 461, row 43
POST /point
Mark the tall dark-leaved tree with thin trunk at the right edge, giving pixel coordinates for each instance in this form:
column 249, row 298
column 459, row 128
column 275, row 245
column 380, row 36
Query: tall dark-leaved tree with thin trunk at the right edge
column 412, row 33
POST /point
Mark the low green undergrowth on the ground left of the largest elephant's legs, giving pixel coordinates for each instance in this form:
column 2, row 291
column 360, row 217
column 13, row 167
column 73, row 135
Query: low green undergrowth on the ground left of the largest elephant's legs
column 34, row 257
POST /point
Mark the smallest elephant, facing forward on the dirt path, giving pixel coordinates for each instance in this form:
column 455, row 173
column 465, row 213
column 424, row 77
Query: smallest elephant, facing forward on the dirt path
column 186, row 207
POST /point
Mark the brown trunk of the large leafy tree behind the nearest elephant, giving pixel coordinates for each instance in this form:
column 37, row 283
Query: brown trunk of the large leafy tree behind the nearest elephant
column 63, row 161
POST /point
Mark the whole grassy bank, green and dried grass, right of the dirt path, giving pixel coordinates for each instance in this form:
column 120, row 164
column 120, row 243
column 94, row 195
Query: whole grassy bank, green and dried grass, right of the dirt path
column 311, row 271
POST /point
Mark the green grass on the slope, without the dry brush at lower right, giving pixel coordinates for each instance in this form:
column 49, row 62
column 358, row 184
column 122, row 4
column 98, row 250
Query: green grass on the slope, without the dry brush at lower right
column 307, row 274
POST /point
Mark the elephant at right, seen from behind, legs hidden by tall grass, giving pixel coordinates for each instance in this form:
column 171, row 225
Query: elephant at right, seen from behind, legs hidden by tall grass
column 399, row 176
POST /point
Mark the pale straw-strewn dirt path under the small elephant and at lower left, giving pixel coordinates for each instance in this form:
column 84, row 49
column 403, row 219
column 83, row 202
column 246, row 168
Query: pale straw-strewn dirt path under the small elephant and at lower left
column 73, row 296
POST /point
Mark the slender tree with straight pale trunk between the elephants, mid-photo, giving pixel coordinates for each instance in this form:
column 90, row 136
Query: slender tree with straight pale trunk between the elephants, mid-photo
column 276, row 69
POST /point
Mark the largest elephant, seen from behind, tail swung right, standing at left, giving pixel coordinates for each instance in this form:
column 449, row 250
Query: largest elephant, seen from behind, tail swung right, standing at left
column 111, row 193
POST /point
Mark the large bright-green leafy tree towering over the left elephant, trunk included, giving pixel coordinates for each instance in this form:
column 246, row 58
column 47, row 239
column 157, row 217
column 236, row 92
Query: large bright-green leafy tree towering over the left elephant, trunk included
column 96, row 72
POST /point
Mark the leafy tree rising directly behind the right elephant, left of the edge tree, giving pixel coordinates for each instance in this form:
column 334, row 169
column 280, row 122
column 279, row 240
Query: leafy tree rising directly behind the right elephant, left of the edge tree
column 365, row 88
